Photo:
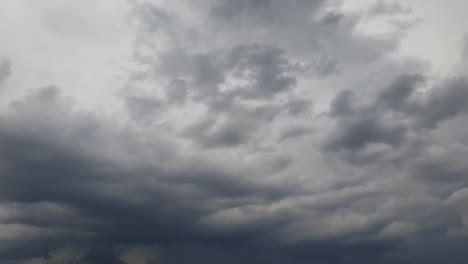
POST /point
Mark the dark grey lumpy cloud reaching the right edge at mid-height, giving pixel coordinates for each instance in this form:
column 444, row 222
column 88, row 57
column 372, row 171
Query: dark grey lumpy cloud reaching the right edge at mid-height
column 397, row 109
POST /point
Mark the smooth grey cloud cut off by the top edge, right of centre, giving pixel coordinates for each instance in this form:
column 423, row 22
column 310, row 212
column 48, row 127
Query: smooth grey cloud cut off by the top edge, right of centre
column 296, row 32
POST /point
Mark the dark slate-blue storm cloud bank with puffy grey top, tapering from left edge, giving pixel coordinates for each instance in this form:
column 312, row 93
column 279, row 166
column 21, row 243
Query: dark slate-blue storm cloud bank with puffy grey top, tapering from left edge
column 108, row 203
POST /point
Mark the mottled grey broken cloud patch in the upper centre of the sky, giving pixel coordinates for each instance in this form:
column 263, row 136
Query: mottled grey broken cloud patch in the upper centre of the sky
column 261, row 74
